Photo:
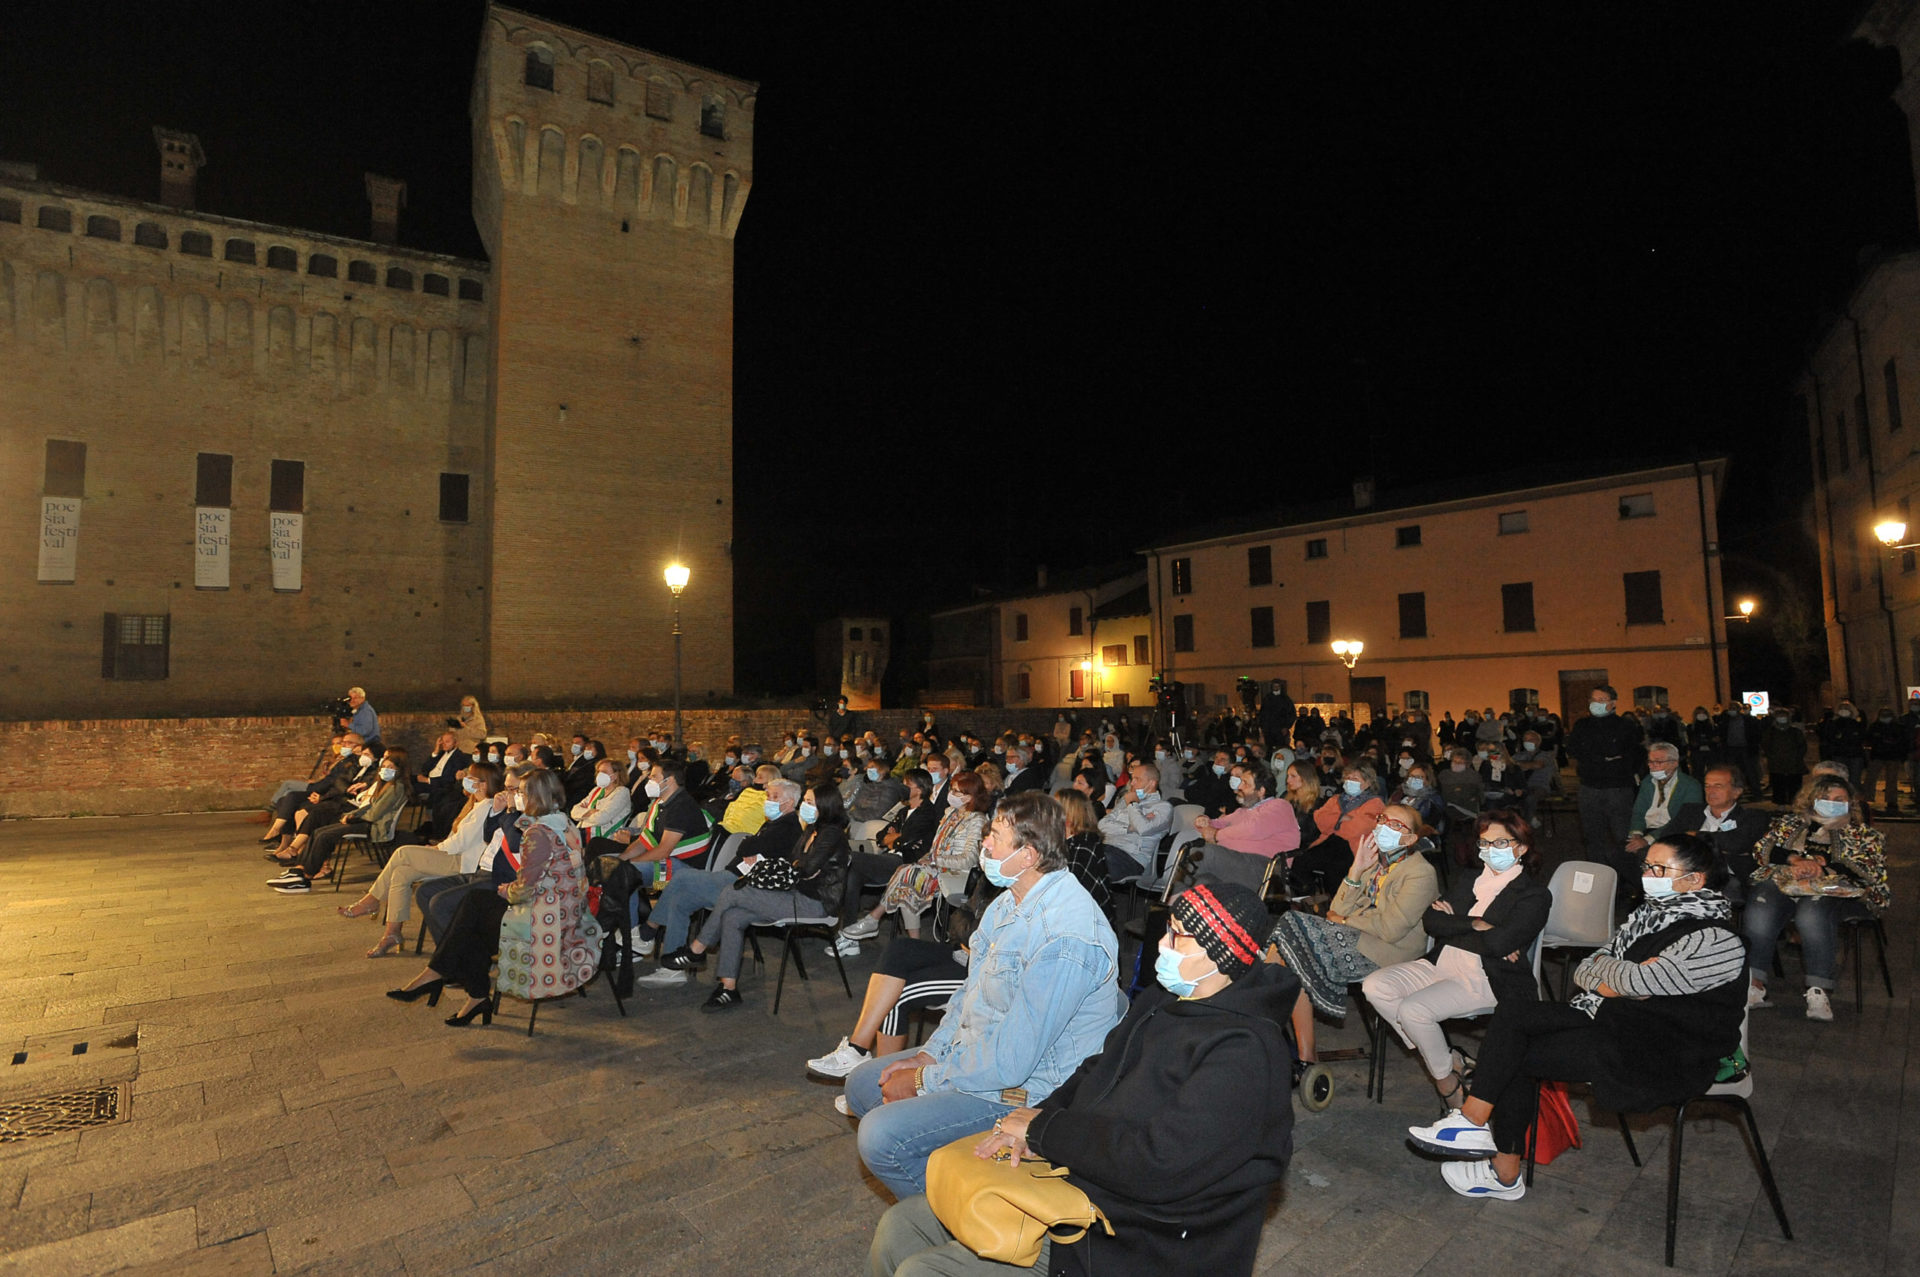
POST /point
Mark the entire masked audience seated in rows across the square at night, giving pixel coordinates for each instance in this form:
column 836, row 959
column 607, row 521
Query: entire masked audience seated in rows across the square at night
column 1397, row 861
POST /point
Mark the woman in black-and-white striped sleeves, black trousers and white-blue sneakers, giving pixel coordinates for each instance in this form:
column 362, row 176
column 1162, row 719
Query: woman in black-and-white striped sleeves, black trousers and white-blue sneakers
column 1660, row 1007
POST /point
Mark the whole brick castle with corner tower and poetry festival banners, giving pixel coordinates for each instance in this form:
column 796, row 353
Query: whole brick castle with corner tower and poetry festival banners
column 247, row 466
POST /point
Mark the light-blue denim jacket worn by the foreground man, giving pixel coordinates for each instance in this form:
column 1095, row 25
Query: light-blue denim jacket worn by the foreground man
column 1042, row 994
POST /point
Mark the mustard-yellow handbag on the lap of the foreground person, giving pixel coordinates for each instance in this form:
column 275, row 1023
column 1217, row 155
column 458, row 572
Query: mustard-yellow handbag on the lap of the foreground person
column 1001, row 1211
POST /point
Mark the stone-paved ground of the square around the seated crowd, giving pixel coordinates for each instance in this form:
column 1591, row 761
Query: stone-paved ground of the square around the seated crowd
column 283, row 1117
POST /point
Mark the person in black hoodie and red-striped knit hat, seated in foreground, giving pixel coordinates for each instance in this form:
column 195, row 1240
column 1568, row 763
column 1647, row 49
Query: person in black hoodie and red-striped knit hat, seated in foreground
column 1178, row 1130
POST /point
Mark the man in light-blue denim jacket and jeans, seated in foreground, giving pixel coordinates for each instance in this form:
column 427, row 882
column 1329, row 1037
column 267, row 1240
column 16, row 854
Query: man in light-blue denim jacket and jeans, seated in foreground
column 1040, row 998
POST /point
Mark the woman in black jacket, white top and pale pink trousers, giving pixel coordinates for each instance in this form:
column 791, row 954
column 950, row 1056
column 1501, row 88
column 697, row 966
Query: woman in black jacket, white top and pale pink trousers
column 1485, row 928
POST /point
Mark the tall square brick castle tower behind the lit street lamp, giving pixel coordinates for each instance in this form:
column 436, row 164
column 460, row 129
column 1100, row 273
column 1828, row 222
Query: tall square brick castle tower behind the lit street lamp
column 608, row 187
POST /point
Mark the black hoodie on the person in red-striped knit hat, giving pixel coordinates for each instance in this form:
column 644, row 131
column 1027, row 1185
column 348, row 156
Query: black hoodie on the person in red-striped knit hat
column 1178, row 1130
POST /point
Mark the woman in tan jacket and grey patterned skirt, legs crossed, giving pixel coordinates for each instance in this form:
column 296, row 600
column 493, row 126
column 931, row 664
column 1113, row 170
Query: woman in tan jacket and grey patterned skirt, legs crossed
column 1372, row 923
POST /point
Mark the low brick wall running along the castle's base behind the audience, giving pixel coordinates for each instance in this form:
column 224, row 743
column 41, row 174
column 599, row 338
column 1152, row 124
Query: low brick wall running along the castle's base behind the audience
column 114, row 767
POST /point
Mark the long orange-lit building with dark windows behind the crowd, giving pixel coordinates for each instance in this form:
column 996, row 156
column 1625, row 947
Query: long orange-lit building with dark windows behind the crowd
column 1525, row 596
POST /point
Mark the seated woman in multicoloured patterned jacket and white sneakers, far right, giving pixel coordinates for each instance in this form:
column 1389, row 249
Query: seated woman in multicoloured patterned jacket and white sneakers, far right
column 1819, row 865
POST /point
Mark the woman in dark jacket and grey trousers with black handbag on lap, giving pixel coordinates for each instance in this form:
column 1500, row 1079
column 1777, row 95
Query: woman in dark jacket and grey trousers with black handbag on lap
column 819, row 879
